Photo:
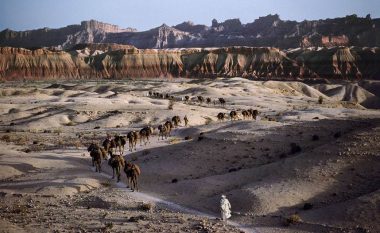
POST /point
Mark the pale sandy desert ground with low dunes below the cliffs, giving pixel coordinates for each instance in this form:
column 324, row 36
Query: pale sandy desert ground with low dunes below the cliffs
column 297, row 152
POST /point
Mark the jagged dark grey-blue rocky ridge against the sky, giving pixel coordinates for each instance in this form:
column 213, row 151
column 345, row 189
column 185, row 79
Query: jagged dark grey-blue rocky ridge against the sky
column 268, row 31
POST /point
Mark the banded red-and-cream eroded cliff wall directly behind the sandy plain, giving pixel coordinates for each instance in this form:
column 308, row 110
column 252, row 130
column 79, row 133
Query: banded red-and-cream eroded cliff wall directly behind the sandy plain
column 121, row 61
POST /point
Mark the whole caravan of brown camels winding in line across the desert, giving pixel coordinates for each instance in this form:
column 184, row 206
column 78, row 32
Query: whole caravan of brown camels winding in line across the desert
column 112, row 148
